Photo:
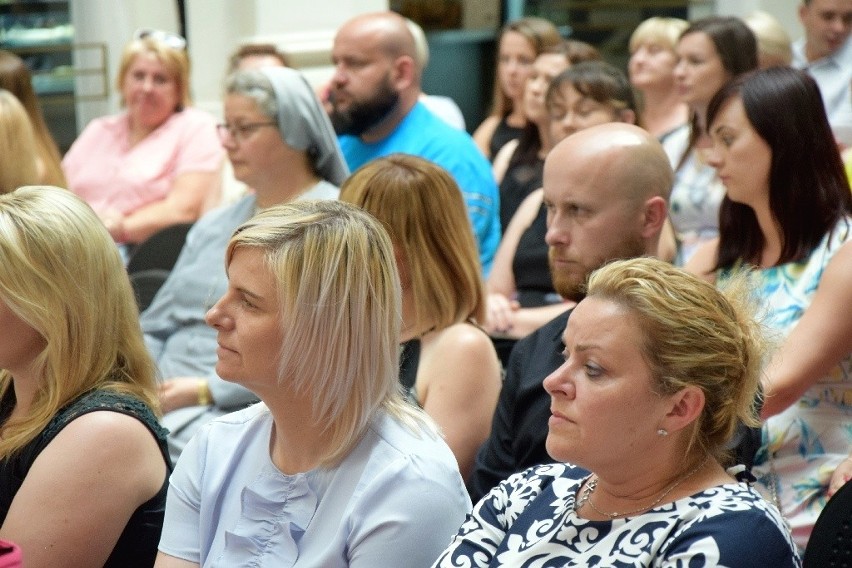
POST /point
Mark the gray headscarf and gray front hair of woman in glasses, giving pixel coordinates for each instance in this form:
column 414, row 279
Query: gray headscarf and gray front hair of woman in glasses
column 302, row 122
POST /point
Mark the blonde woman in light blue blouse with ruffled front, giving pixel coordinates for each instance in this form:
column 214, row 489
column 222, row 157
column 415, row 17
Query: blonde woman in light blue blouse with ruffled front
column 334, row 467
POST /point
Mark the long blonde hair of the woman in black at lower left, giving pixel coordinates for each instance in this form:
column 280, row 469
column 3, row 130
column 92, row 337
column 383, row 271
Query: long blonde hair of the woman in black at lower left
column 63, row 276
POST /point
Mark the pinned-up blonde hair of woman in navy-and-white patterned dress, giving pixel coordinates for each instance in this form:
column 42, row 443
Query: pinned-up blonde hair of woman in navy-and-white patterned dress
column 694, row 335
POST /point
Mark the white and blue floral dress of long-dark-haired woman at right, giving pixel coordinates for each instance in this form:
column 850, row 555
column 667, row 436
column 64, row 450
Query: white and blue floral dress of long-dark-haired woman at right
column 804, row 444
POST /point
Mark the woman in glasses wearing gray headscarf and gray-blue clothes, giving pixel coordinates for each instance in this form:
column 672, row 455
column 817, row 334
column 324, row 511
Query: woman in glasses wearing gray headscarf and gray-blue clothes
column 281, row 144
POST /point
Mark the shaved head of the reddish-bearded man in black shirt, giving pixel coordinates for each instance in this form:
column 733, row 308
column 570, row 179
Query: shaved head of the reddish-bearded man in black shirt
column 606, row 190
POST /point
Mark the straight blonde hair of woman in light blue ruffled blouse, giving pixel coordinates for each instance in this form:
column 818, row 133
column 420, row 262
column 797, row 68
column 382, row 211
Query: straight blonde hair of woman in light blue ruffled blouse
column 339, row 299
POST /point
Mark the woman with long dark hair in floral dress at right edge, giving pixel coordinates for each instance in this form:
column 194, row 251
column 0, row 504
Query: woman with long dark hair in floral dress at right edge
column 787, row 220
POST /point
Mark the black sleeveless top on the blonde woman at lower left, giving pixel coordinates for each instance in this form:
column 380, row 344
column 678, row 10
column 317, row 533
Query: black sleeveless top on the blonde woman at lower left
column 137, row 545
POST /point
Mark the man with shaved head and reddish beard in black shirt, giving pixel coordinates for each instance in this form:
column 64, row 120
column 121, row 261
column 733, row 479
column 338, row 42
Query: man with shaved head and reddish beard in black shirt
column 606, row 190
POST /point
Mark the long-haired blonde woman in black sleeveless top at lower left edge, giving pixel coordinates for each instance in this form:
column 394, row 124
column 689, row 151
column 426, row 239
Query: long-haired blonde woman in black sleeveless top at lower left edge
column 84, row 467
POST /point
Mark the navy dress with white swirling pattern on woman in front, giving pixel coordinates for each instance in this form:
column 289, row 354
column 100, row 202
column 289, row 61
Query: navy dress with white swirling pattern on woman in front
column 529, row 521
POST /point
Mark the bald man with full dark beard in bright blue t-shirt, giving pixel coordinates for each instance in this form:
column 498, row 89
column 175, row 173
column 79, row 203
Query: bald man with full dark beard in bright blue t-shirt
column 375, row 109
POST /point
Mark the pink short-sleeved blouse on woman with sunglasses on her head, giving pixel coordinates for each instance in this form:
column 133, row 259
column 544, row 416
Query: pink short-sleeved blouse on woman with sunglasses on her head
column 103, row 169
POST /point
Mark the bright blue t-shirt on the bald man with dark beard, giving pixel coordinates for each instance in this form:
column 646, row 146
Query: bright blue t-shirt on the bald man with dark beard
column 423, row 134
